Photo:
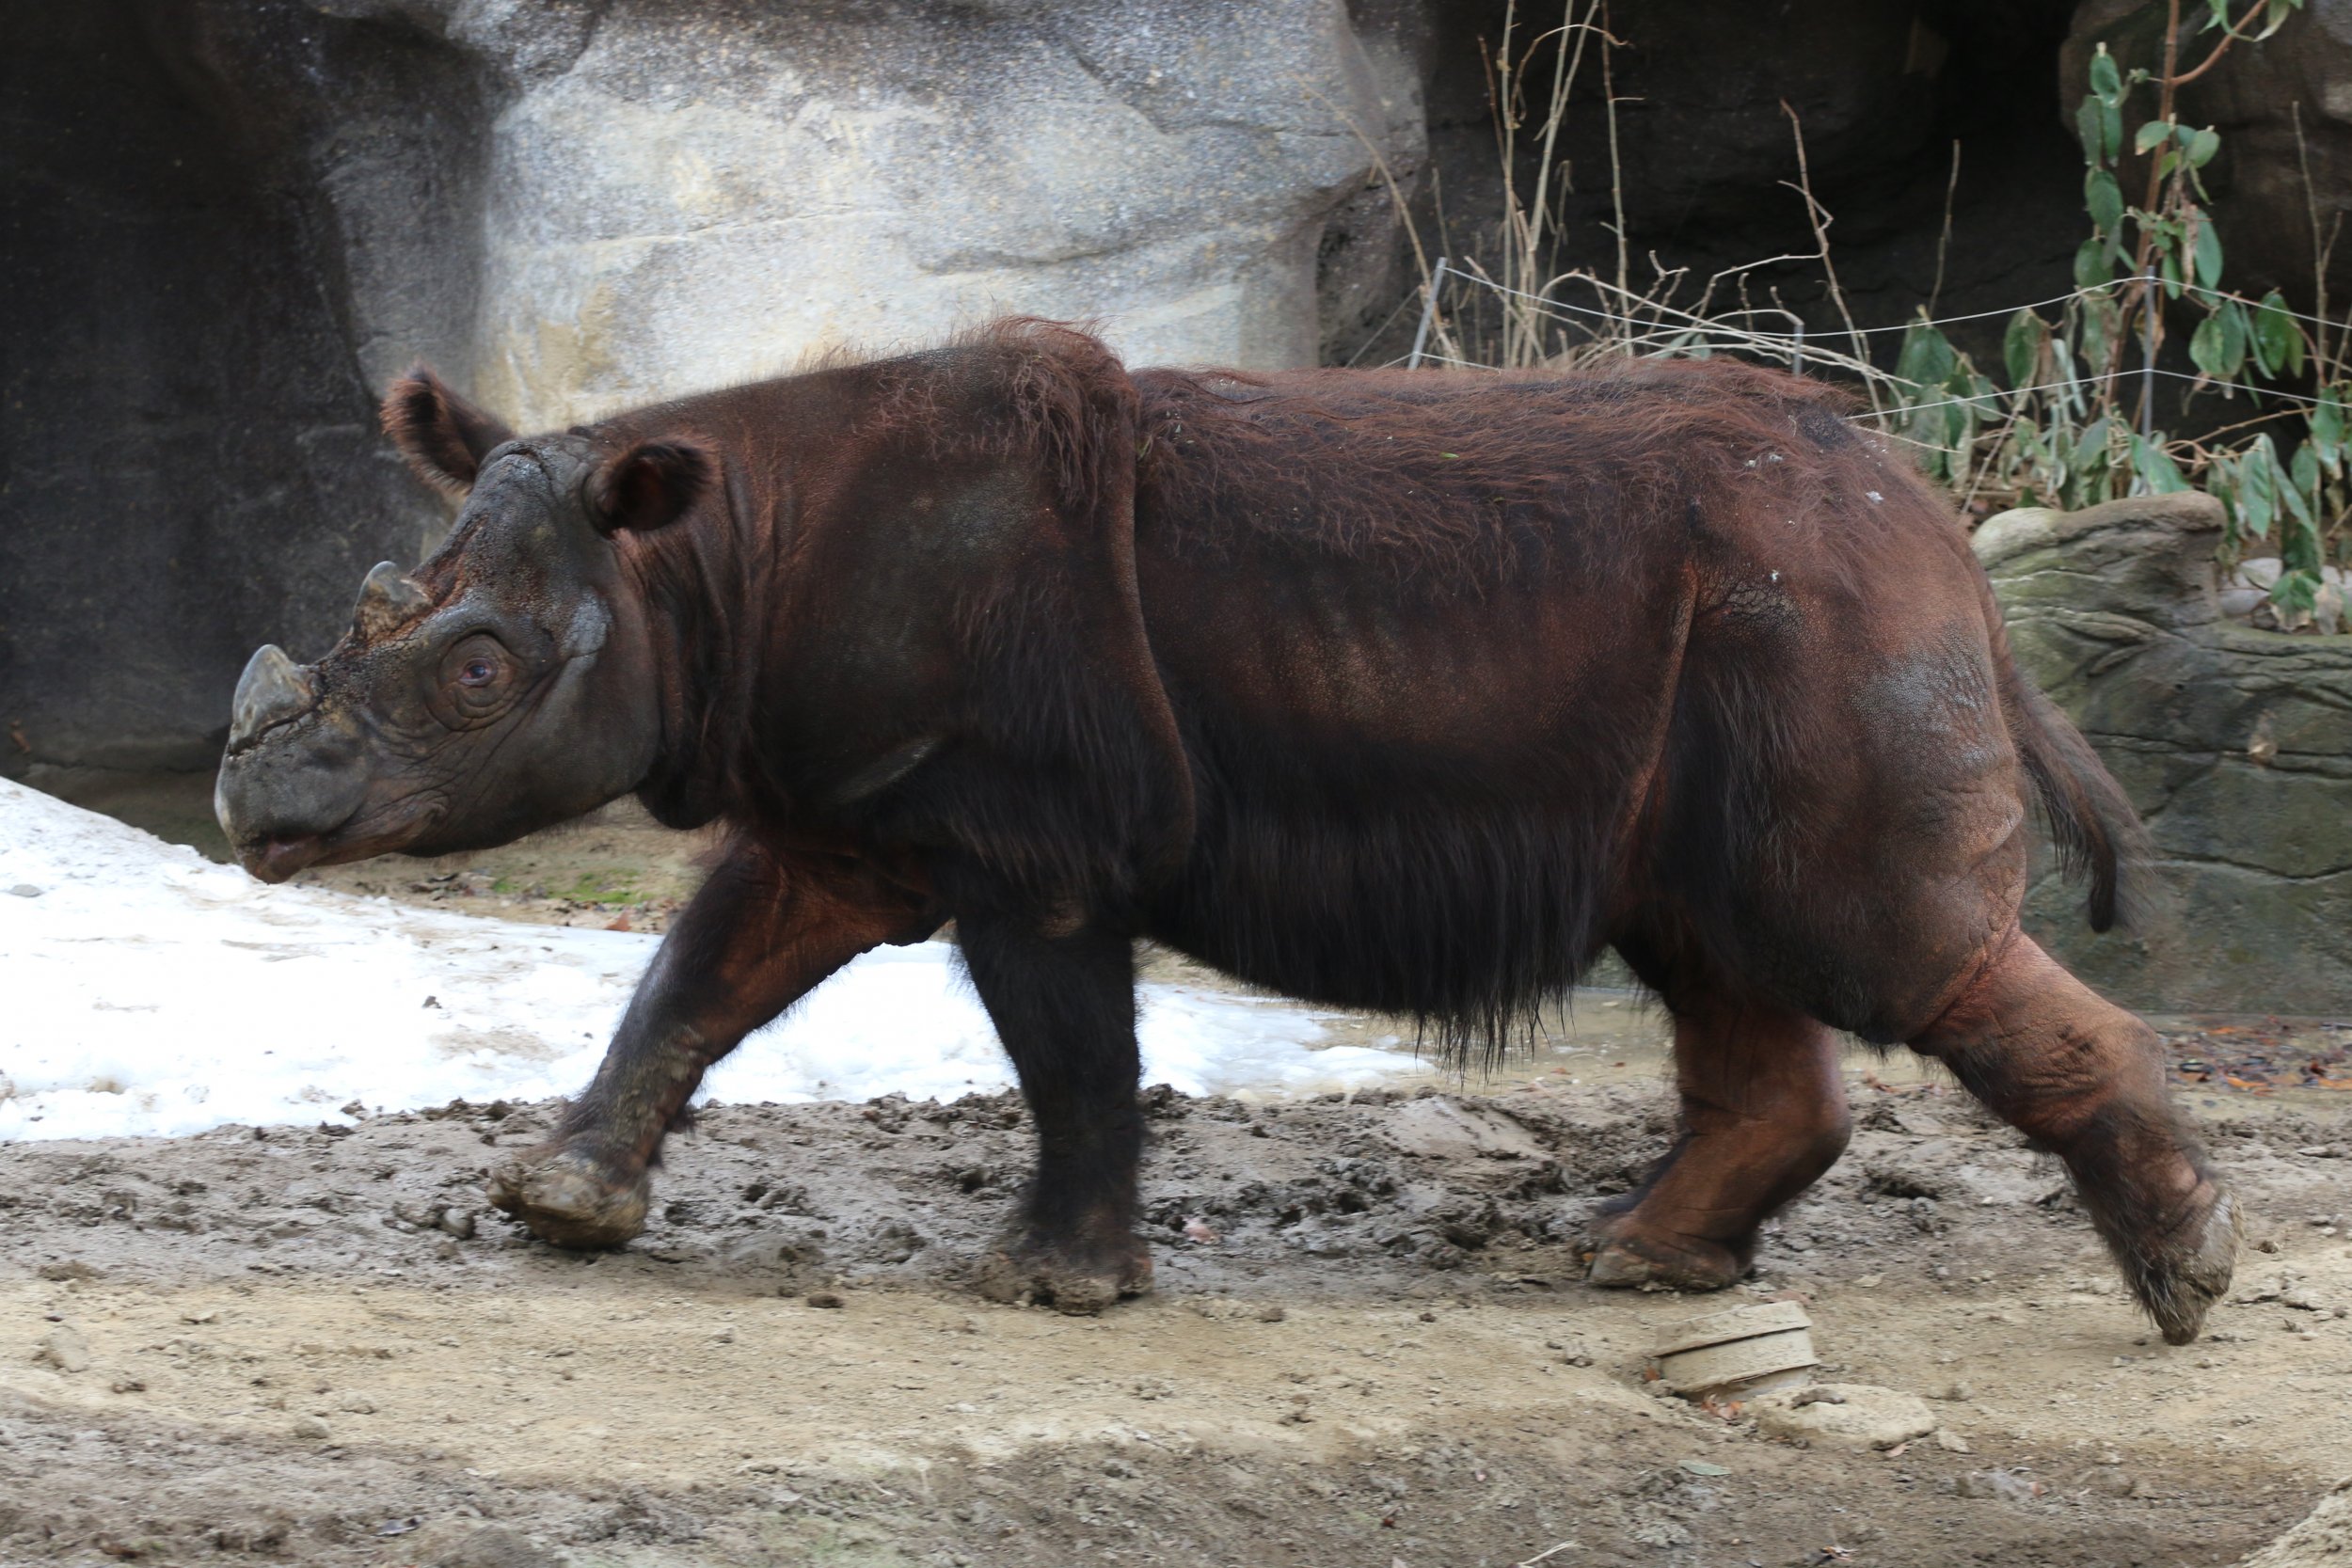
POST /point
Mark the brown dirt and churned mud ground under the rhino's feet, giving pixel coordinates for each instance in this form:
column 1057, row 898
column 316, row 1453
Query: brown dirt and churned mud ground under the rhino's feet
column 1370, row 1343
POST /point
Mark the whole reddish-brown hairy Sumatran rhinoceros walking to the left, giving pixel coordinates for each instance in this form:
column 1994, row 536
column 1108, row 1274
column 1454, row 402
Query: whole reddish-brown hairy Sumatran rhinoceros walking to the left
column 1384, row 690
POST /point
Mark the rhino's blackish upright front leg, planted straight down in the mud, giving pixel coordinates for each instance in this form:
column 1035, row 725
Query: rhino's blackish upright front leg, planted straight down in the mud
column 1067, row 1014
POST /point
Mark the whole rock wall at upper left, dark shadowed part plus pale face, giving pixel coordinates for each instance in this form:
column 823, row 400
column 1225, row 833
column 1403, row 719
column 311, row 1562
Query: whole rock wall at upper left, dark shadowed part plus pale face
column 234, row 222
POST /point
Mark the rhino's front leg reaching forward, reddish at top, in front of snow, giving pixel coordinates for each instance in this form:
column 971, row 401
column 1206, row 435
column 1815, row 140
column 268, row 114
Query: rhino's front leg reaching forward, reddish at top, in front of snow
column 761, row 934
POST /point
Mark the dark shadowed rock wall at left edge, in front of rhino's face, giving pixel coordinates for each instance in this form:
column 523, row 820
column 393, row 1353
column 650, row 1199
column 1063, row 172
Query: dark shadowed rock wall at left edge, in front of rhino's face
column 187, row 455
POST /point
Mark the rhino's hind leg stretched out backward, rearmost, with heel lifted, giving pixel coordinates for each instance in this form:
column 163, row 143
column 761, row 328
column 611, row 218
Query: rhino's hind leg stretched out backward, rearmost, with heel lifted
column 2085, row 1080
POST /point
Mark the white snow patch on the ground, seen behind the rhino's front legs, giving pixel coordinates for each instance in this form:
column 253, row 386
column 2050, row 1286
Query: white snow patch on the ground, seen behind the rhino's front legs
column 149, row 991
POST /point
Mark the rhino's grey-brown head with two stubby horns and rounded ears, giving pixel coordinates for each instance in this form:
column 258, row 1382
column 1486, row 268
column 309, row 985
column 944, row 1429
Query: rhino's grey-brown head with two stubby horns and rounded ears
column 502, row 688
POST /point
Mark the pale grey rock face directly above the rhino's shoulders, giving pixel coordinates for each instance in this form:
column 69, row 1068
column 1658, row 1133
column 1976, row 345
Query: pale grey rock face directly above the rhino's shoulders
column 707, row 194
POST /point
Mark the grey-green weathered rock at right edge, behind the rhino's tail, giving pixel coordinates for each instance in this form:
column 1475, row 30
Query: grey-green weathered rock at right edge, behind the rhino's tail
column 2236, row 744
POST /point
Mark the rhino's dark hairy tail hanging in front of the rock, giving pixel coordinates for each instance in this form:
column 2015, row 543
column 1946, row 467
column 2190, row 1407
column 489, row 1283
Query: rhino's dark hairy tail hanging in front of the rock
column 2092, row 822
